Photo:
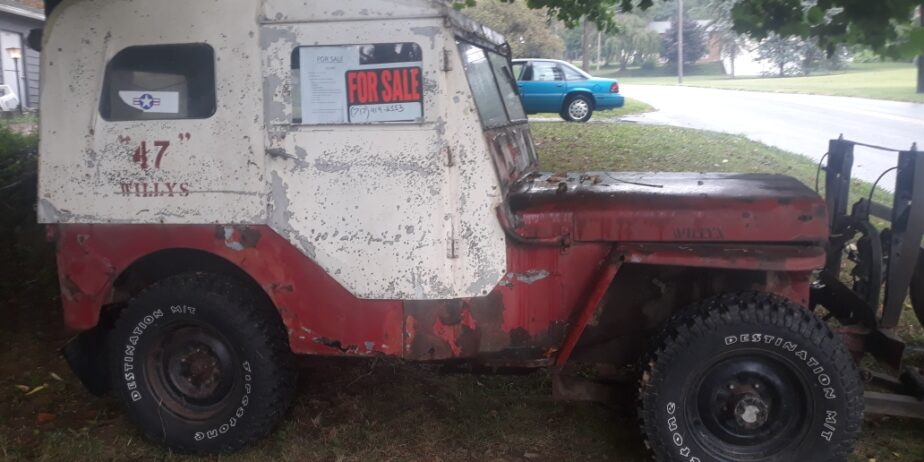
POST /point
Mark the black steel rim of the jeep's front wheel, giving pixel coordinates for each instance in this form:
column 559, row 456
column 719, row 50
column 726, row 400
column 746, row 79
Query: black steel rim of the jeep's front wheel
column 750, row 404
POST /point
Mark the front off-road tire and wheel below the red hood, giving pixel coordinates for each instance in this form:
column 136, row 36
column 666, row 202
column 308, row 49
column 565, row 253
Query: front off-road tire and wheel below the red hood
column 793, row 391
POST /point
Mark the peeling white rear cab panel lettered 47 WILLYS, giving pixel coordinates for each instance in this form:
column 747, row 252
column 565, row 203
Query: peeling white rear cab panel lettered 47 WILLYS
column 85, row 160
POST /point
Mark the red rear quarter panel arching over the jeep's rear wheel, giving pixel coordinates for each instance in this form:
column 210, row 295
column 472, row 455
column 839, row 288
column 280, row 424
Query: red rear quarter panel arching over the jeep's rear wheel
column 321, row 316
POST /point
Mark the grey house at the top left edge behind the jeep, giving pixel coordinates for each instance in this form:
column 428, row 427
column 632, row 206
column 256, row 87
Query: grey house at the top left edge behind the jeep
column 17, row 18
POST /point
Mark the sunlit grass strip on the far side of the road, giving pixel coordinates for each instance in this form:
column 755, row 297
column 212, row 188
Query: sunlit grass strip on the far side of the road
column 889, row 81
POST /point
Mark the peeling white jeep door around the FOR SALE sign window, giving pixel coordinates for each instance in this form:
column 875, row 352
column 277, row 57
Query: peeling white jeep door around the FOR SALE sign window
column 377, row 204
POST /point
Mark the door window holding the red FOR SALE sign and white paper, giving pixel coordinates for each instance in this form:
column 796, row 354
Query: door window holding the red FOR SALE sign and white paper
column 358, row 84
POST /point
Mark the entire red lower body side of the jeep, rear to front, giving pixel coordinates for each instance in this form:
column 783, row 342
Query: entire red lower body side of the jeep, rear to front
column 534, row 316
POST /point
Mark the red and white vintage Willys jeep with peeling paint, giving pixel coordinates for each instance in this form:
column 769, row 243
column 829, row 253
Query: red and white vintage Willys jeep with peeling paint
column 229, row 182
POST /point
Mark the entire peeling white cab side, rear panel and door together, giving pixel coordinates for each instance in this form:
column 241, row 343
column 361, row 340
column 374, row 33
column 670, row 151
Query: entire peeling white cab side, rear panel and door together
column 376, row 206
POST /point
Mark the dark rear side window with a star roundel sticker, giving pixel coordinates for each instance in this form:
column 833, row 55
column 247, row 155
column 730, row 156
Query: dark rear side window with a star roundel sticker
column 160, row 82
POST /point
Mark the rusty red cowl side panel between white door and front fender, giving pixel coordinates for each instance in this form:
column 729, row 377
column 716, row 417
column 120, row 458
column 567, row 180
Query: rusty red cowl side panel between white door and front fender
column 525, row 318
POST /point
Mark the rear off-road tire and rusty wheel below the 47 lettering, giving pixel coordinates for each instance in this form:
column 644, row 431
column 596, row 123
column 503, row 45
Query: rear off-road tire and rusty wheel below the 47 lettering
column 201, row 364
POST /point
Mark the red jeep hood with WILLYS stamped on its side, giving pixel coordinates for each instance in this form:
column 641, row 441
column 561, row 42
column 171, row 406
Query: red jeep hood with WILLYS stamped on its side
column 675, row 207
